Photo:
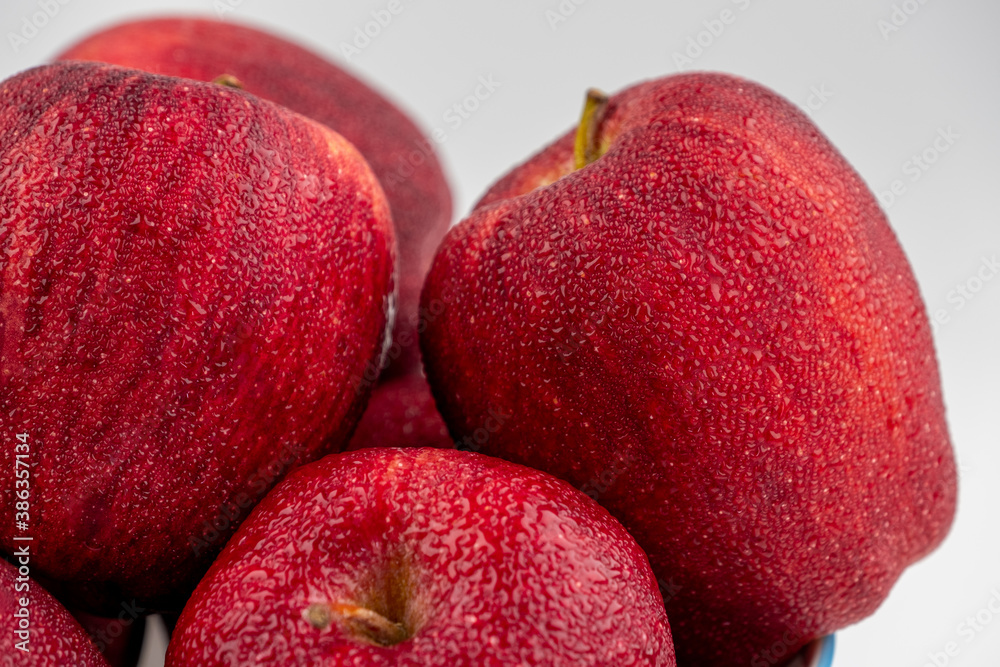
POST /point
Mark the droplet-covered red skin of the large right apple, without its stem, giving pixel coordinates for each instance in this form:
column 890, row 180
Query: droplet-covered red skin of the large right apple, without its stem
column 714, row 331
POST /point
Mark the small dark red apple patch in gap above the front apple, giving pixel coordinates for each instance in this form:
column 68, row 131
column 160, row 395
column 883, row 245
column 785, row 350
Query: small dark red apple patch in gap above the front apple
column 401, row 413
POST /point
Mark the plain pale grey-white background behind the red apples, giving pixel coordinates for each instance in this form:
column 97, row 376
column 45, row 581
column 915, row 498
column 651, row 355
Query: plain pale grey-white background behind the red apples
column 887, row 96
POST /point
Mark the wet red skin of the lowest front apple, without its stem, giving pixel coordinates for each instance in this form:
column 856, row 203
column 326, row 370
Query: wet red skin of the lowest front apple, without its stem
column 504, row 566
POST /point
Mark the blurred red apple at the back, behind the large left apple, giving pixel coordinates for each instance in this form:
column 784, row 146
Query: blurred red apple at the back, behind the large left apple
column 283, row 72
